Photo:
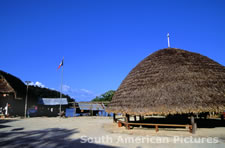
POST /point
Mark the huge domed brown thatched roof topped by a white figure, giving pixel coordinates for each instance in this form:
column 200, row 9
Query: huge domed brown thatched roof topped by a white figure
column 171, row 81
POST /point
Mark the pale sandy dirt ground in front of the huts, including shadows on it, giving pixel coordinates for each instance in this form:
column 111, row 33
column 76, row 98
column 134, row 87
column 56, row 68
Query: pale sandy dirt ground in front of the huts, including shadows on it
column 95, row 132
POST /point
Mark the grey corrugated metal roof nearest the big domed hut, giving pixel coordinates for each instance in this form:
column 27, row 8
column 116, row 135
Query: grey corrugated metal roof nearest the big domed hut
column 91, row 106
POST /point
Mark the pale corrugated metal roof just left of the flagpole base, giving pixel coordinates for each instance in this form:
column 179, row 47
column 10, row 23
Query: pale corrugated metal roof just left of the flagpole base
column 53, row 101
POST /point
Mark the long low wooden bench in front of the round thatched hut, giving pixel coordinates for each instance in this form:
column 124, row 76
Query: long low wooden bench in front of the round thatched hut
column 127, row 125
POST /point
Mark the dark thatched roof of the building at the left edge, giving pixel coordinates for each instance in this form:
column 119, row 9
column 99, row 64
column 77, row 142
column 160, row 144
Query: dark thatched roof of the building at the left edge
column 11, row 84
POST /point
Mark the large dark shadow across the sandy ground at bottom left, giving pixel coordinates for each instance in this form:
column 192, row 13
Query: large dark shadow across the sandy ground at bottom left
column 51, row 137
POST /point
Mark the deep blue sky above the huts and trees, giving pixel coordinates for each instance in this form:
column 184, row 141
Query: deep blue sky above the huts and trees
column 101, row 40
